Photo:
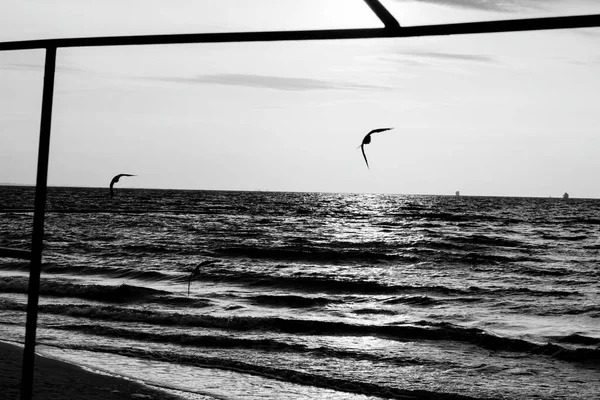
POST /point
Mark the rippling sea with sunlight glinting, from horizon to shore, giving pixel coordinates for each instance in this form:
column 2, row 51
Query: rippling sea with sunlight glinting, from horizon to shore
column 314, row 295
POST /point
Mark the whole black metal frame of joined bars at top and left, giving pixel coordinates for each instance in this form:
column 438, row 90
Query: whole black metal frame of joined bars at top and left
column 391, row 29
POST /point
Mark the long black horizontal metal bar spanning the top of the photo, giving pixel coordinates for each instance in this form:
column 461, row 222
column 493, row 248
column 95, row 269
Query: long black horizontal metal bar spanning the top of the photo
column 515, row 25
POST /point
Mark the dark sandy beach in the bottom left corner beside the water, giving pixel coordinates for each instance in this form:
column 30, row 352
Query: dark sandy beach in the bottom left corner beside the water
column 55, row 380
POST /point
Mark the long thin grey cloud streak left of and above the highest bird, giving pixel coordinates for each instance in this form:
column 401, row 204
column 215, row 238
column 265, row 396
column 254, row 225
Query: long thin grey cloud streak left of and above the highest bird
column 273, row 82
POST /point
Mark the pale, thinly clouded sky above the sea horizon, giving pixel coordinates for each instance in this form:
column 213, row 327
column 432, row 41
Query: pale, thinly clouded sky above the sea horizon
column 509, row 114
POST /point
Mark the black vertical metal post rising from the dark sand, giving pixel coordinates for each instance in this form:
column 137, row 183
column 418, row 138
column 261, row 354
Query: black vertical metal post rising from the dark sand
column 38, row 226
